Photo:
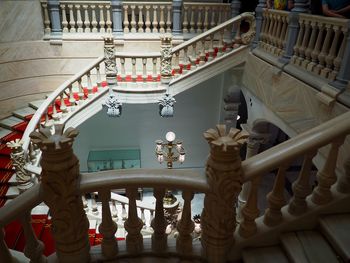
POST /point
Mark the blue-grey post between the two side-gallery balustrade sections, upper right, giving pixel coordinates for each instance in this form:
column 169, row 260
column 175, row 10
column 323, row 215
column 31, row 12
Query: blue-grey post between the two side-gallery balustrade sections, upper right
column 300, row 6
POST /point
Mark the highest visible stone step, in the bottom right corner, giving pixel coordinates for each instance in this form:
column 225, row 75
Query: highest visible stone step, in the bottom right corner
column 337, row 230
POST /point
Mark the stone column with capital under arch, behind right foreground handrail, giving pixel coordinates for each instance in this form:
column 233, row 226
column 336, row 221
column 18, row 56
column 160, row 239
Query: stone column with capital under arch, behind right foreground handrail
column 254, row 142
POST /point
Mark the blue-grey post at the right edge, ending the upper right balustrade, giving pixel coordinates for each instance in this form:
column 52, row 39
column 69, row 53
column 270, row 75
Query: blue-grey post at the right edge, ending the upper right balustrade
column 343, row 76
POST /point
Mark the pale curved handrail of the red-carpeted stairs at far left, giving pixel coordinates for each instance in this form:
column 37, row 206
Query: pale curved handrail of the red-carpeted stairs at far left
column 51, row 98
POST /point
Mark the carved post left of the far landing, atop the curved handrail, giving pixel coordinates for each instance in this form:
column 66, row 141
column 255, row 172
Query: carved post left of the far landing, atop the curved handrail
column 110, row 64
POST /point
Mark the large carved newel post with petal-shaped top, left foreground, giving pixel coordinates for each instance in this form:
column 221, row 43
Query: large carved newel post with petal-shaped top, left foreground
column 60, row 190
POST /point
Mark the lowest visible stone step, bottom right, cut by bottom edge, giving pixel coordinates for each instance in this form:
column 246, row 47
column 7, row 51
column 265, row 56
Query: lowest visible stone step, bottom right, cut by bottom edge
column 264, row 255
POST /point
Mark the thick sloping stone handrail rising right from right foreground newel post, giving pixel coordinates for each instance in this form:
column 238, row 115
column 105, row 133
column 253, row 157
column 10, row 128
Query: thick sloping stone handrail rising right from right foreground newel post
column 312, row 139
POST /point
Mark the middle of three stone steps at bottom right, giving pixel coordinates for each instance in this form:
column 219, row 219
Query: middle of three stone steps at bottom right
column 308, row 247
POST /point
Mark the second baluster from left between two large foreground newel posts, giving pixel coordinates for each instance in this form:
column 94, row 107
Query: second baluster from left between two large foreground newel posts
column 133, row 225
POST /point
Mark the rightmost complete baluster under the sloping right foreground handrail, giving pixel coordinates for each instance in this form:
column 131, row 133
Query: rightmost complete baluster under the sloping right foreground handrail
column 327, row 176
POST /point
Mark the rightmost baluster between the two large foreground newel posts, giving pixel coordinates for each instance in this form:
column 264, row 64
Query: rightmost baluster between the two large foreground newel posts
column 185, row 226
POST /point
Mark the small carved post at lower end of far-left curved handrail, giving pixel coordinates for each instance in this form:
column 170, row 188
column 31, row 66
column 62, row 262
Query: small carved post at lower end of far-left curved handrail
column 23, row 178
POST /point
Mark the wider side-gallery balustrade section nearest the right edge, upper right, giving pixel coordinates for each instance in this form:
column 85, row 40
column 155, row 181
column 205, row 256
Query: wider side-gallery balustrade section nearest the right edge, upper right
column 321, row 44
